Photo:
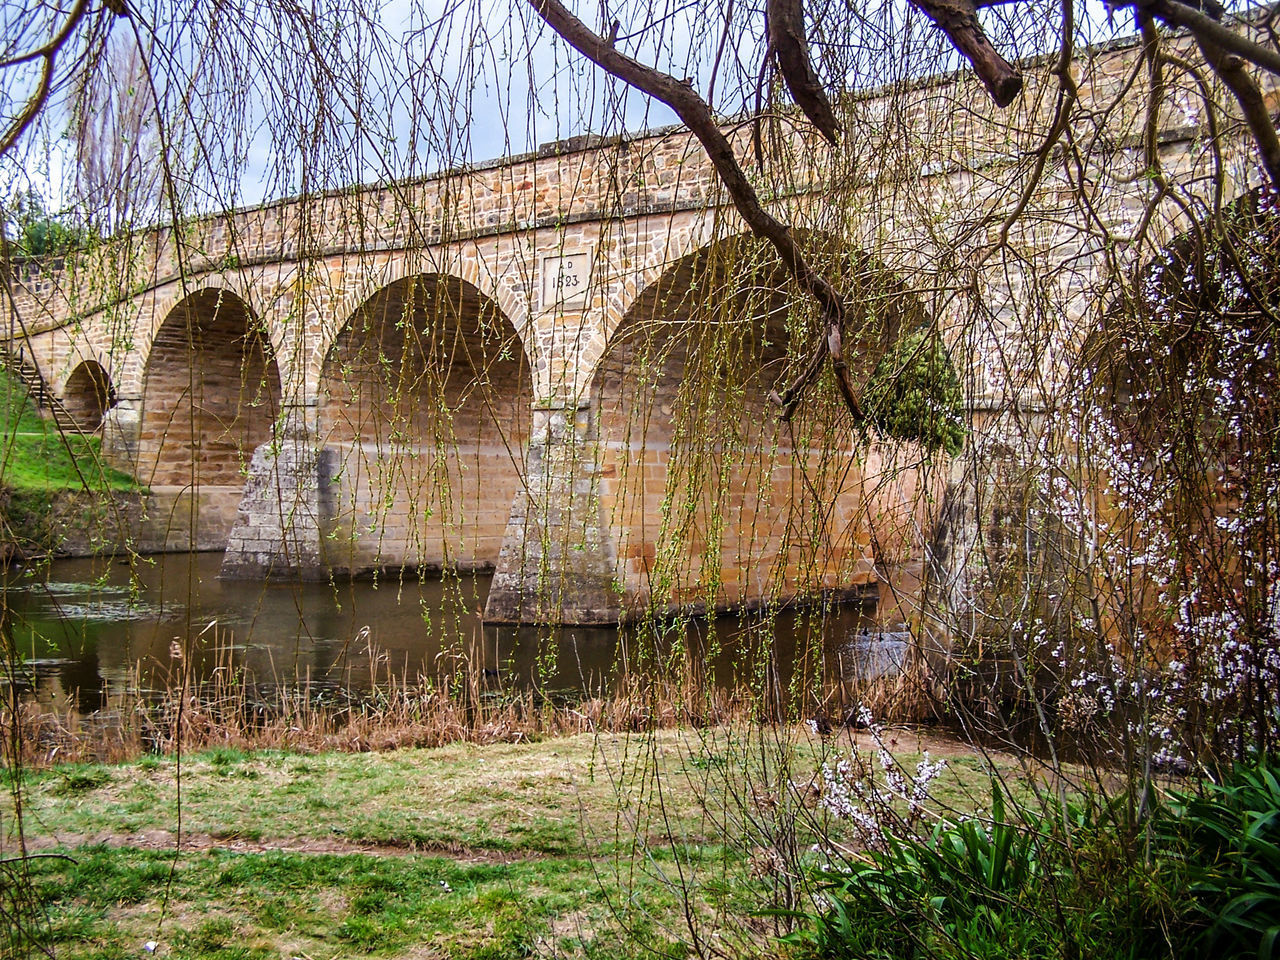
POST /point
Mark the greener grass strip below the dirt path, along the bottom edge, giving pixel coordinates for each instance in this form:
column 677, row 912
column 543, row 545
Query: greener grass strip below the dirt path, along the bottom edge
column 222, row 904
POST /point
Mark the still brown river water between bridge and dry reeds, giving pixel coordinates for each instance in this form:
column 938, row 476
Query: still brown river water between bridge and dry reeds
column 88, row 629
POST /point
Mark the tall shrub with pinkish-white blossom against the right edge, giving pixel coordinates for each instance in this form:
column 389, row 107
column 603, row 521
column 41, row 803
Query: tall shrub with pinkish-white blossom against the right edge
column 1164, row 477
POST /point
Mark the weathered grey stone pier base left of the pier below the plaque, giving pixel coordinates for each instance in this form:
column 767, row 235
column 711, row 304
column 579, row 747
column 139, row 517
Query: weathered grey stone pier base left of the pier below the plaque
column 287, row 509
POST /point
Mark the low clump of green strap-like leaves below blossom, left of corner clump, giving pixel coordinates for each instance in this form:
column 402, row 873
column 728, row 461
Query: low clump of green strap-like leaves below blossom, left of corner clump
column 1020, row 884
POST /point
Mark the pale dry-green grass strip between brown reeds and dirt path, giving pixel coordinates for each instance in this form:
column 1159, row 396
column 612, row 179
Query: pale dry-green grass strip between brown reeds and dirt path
column 559, row 797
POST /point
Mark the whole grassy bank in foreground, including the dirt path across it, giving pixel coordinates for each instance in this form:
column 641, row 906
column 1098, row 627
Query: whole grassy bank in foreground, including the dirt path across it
column 591, row 845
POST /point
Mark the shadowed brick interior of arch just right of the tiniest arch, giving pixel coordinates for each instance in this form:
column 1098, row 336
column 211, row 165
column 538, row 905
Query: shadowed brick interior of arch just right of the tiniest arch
column 211, row 394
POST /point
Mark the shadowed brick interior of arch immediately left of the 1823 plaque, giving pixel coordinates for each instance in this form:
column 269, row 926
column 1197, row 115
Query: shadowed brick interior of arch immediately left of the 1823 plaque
column 426, row 401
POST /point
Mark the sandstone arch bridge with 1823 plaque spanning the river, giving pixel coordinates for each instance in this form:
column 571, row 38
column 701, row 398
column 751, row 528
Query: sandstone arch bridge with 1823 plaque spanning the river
column 511, row 367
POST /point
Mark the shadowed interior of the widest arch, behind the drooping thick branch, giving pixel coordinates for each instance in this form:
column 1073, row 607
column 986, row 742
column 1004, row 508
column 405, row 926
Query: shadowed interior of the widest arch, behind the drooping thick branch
column 714, row 502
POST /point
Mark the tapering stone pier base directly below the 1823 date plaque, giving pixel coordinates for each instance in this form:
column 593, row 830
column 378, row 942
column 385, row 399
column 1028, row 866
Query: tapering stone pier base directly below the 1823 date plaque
column 557, row 561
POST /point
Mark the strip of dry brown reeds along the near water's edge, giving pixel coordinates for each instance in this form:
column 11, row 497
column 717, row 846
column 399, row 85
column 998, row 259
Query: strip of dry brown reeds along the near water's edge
column 304, row 717
